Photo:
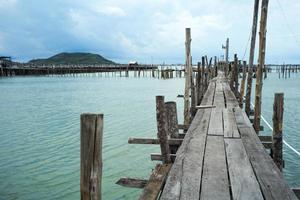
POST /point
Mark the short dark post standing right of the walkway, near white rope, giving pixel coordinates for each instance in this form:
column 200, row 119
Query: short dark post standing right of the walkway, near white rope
column 277, row 130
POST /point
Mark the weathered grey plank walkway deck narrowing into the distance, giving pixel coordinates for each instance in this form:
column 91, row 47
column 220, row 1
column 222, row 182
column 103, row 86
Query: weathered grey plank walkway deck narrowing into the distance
column 221, row 156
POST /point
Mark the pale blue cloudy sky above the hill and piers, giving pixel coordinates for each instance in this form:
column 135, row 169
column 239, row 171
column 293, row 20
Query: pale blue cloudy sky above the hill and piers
column 147, row 31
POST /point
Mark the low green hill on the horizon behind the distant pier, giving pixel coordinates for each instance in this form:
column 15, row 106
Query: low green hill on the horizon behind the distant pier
column 72, row 58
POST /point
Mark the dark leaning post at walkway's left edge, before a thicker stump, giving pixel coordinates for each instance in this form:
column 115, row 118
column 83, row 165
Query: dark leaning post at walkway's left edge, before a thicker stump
column 162, row 133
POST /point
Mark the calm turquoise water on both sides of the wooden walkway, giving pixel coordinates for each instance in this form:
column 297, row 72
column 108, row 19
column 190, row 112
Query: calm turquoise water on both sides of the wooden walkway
column 39, row 134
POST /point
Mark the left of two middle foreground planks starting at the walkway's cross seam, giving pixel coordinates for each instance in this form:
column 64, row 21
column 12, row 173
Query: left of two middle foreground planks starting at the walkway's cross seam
column 215, row 179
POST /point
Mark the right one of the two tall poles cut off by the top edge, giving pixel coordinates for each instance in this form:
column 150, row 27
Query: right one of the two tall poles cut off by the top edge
column 261, row 63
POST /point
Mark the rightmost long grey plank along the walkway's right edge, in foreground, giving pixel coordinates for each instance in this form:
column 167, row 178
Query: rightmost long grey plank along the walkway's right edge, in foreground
column 272, row 183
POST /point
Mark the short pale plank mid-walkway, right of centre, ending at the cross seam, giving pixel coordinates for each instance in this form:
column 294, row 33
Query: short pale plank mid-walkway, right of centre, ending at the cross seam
column 230, row 127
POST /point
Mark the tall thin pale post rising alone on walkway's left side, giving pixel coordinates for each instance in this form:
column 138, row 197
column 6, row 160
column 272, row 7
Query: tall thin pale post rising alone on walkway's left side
column 187, row 114
